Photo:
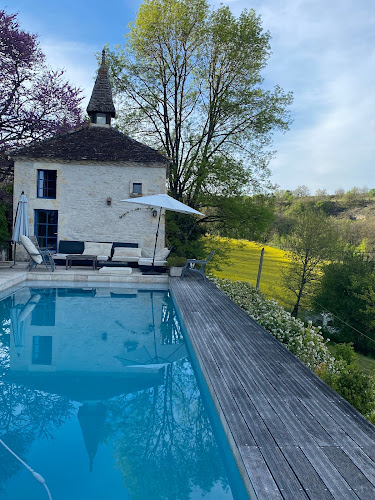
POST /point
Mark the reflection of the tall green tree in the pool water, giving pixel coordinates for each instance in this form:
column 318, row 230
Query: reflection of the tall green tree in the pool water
column 163, row 440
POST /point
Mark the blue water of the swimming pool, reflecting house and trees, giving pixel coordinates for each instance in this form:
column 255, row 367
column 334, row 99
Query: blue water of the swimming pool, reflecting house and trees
column 100, row 395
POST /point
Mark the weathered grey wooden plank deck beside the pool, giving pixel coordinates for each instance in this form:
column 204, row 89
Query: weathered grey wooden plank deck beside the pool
column 291, row 435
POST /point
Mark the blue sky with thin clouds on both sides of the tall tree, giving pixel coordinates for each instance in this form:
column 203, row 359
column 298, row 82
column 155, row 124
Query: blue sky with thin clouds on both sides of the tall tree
column 322, row 50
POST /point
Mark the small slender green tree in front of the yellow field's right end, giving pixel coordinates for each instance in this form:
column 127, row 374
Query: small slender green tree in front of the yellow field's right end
column 312, row 241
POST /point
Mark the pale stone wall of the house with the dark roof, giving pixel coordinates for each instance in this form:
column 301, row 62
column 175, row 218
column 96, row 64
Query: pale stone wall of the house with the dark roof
column 81, row 200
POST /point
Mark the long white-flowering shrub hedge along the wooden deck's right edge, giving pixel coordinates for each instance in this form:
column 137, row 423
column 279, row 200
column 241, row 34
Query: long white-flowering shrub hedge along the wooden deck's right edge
column 305, row 342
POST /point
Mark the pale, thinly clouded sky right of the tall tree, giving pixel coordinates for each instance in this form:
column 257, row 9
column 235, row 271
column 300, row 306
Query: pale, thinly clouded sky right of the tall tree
column 325, row 53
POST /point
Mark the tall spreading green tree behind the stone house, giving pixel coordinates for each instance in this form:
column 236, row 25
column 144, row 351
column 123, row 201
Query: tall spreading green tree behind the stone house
column 189, row 78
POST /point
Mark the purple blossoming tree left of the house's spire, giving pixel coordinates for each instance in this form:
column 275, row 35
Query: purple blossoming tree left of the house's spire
column 35, row 101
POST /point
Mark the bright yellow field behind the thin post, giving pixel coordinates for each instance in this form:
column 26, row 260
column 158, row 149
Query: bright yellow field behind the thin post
column 244, row 264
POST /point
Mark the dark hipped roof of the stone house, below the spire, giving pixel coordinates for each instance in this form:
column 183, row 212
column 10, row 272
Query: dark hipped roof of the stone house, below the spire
column 91, row 143
